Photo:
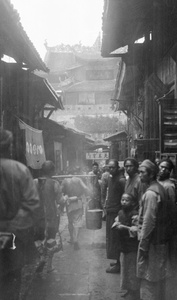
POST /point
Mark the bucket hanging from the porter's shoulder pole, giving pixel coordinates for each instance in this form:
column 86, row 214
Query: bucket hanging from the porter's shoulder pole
column 94, row 219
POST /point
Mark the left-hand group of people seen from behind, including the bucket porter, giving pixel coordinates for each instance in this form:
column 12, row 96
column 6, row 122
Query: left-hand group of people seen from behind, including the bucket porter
column 30, row 215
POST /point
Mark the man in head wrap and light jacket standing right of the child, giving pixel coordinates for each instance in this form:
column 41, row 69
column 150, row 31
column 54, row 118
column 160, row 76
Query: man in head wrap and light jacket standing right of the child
column 153, row 264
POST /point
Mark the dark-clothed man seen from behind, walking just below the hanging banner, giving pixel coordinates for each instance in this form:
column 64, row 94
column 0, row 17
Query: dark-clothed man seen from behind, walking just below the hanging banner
column 50, row 198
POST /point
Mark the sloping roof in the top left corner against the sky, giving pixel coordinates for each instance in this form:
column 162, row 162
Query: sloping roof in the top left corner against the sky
column 14, row 41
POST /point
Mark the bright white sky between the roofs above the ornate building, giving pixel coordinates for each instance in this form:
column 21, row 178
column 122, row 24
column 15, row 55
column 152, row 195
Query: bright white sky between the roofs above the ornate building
column 60, row 21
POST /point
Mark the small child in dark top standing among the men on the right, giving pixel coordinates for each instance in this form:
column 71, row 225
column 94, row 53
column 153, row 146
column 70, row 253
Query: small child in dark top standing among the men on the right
column 129, row 245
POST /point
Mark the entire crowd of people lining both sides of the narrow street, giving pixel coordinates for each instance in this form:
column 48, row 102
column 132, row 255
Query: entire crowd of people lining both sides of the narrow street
column 139, row 207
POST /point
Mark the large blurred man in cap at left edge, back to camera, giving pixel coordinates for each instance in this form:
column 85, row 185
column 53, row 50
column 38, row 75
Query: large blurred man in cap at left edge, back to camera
column 18, row 203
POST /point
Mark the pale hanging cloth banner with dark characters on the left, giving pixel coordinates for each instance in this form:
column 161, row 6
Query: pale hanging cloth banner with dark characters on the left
column 35, row 154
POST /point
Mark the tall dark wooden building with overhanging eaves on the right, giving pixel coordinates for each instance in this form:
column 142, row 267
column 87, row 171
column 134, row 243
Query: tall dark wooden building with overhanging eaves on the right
column 144, row 34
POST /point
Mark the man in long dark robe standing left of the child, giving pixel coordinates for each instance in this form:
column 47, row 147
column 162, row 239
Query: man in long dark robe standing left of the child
column 113, row 190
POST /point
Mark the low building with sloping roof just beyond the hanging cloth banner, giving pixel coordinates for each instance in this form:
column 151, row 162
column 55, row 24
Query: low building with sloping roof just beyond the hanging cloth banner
column 64, row 146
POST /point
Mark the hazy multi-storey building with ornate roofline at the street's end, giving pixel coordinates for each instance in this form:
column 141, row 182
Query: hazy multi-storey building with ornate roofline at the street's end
column 85, row 80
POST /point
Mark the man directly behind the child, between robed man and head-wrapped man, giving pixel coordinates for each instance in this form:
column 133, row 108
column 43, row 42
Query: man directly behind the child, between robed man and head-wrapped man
column 133, row 185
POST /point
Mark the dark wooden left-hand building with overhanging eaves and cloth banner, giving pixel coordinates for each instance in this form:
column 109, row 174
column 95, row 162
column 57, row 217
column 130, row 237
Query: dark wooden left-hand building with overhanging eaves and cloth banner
column 24, row 96
